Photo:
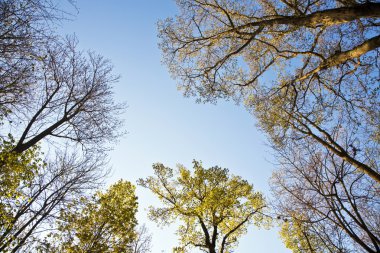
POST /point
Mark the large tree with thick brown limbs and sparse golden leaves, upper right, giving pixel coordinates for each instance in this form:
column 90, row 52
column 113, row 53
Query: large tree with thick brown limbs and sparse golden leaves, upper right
column 305, row 69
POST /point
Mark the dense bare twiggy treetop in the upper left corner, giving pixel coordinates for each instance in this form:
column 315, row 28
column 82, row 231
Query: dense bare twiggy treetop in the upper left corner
column 25, row 26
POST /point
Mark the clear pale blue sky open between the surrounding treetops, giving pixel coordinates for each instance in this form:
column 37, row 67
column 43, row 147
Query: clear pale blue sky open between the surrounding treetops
column 162, row 125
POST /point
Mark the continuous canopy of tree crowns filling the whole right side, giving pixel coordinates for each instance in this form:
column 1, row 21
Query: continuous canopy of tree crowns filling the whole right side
column 308, row 71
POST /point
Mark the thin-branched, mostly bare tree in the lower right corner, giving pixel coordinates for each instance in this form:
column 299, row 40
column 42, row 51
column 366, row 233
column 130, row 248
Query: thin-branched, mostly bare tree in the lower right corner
column 325, row 205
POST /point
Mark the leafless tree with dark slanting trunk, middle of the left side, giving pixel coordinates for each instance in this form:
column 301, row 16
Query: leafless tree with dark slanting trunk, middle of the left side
column 72, row 100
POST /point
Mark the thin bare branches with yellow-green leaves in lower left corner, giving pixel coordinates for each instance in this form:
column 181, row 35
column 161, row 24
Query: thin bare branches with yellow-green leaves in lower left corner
column 39, row 191
